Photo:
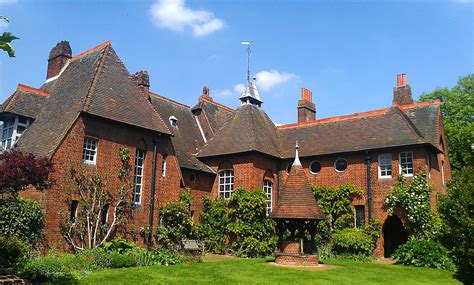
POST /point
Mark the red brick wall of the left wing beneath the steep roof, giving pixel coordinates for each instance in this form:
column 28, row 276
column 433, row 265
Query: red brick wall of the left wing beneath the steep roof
column 112, row 136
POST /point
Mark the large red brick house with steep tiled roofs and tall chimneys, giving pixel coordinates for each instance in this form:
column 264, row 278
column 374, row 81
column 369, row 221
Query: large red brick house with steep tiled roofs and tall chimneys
column 90, row 106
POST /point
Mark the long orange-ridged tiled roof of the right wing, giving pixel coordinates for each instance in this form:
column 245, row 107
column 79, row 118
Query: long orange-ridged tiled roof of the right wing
column 371, row 130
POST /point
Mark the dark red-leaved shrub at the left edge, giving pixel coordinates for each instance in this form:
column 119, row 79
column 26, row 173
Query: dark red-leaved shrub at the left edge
column 20, row 170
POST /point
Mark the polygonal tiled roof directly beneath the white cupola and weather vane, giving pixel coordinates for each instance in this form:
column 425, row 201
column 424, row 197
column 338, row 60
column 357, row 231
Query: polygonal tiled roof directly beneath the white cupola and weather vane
column 250, row 129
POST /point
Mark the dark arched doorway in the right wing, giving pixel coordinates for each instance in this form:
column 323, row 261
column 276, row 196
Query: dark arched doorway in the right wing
column 394, row 235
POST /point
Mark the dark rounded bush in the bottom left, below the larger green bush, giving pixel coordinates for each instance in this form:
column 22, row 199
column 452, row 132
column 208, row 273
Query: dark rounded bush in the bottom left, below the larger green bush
column 13, row 254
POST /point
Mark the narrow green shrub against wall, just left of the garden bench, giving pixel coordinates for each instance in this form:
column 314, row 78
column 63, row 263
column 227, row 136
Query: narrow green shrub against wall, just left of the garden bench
column 177, row 224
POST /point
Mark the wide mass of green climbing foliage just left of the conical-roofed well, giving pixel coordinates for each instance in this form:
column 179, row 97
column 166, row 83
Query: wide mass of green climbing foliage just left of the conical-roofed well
column 239, row 225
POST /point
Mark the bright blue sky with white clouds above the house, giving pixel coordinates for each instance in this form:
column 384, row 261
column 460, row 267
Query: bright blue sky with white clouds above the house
column 346, row 52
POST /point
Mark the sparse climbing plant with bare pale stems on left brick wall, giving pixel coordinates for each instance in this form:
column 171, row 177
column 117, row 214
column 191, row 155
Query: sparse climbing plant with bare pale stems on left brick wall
column 90, row 228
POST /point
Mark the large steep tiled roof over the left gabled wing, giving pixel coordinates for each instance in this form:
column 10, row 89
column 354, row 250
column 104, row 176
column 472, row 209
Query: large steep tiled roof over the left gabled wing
column 94, row 82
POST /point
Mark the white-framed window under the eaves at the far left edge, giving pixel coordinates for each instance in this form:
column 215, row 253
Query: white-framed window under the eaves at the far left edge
column 11, row 130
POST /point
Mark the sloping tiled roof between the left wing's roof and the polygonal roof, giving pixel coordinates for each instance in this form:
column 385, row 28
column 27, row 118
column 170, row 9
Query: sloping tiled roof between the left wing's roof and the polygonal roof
column 187, row 138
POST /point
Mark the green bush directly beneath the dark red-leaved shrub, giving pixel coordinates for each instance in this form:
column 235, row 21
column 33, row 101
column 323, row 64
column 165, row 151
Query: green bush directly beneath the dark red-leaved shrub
column 21, row 218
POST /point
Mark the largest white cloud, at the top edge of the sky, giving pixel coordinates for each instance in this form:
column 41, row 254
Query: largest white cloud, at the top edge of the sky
column 174, row 15
